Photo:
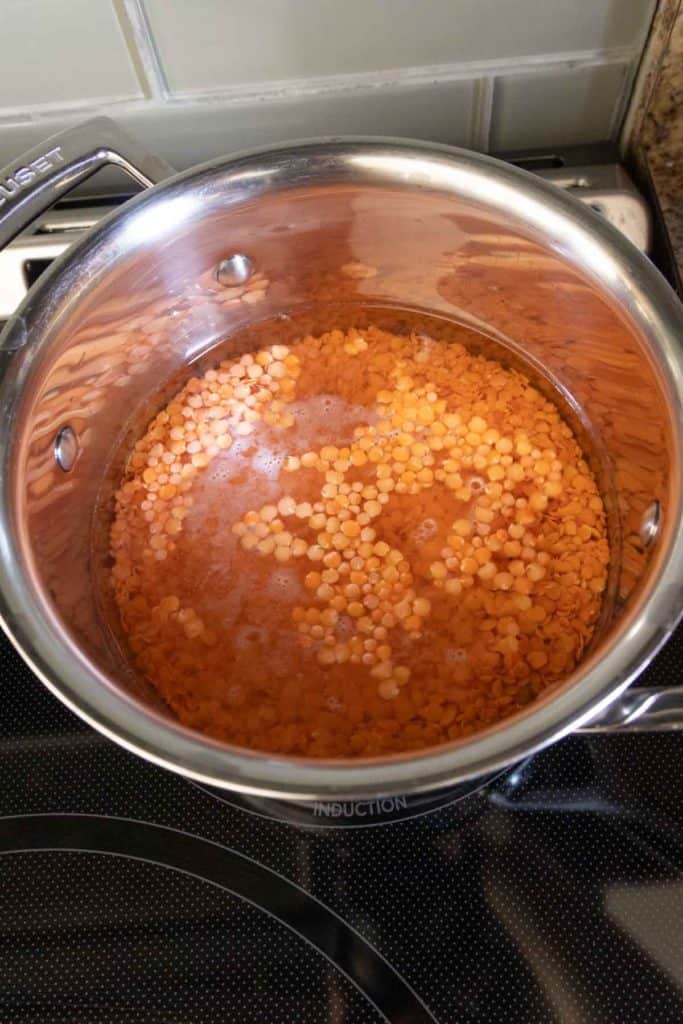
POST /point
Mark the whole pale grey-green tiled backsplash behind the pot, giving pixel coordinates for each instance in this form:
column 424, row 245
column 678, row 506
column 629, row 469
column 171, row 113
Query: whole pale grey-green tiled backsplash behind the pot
column 200, row 79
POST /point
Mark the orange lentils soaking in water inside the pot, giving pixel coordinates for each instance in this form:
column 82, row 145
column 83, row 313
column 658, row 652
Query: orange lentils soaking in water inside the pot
column 358, row 542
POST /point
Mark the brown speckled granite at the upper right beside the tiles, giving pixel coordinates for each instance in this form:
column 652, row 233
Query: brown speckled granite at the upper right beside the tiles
column 657, row 138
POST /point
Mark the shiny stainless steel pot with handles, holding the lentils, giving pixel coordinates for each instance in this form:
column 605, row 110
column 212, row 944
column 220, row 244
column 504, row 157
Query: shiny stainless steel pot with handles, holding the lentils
column 335, row 225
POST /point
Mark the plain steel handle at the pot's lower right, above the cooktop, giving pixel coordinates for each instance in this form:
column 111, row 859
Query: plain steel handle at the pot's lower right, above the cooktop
column 647, row 709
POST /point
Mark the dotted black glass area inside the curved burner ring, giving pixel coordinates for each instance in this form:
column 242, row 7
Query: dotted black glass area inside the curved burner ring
column 118, row 941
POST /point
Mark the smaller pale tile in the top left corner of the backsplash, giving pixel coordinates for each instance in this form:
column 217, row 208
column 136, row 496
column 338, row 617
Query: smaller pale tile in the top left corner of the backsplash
column 62, row 54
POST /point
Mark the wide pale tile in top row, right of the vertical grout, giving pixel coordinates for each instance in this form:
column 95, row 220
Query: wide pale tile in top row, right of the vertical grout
column 215, row 45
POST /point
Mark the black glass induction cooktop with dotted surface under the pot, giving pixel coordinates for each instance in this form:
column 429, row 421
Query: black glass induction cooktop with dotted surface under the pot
column 552, row 892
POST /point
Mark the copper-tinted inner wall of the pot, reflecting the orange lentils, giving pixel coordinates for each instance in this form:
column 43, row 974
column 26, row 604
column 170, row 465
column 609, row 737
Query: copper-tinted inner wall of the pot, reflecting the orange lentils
column 326, row 255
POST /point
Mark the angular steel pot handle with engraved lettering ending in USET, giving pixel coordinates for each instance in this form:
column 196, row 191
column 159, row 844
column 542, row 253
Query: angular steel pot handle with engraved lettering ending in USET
column 35, row 182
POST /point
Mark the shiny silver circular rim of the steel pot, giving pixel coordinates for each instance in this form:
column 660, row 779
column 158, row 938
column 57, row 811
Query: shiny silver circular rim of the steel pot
column 600, row 251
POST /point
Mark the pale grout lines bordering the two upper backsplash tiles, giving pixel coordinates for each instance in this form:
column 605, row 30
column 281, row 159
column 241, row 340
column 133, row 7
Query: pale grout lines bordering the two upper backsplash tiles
column 161, row 97
